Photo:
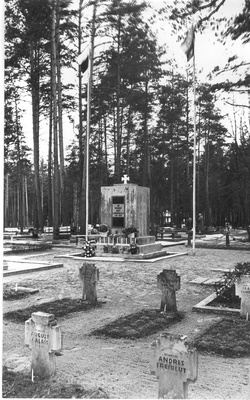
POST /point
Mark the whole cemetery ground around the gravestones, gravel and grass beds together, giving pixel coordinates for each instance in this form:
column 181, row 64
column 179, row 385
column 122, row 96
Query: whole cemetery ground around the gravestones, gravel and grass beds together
column 107, row 347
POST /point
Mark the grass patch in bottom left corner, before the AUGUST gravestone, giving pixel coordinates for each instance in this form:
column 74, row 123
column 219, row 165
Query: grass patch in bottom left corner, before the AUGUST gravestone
column 19, row 385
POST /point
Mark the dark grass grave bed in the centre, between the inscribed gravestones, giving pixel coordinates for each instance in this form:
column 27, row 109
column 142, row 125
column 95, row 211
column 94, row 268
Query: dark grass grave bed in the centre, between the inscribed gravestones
column 138, row 325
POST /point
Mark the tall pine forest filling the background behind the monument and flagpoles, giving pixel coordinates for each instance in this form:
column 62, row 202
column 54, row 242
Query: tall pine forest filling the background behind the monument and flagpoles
column 141, row 112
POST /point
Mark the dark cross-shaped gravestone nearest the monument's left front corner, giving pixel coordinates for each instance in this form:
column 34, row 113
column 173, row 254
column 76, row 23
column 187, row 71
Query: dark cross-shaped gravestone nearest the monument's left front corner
column 89, row 275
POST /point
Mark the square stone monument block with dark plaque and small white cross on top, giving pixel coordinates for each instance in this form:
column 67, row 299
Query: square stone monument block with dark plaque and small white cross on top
column 124, row 205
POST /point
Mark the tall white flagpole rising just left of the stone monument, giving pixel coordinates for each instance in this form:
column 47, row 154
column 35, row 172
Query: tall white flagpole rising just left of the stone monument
column 89, row 90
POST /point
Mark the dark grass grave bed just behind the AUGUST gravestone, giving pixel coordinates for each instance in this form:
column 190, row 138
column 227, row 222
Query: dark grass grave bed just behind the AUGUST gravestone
column 60, row 308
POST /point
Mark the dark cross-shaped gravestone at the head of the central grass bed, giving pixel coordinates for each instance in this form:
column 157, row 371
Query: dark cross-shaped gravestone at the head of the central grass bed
column 168, row 281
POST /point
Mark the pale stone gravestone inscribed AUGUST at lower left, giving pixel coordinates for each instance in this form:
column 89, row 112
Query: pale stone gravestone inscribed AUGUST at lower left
column 43, row 337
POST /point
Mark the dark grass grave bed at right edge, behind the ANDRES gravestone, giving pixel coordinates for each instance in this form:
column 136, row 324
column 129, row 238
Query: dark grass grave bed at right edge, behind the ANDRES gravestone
column 228, row 337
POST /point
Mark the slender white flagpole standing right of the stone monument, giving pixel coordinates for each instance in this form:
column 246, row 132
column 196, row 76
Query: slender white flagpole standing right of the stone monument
column 194, row 155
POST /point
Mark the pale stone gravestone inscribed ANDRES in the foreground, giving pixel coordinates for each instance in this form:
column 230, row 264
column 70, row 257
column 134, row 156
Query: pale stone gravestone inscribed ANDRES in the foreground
column 175, row 364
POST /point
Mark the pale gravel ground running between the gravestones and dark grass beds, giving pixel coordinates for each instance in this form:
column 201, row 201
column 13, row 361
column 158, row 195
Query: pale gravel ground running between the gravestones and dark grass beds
column 121, row 367
